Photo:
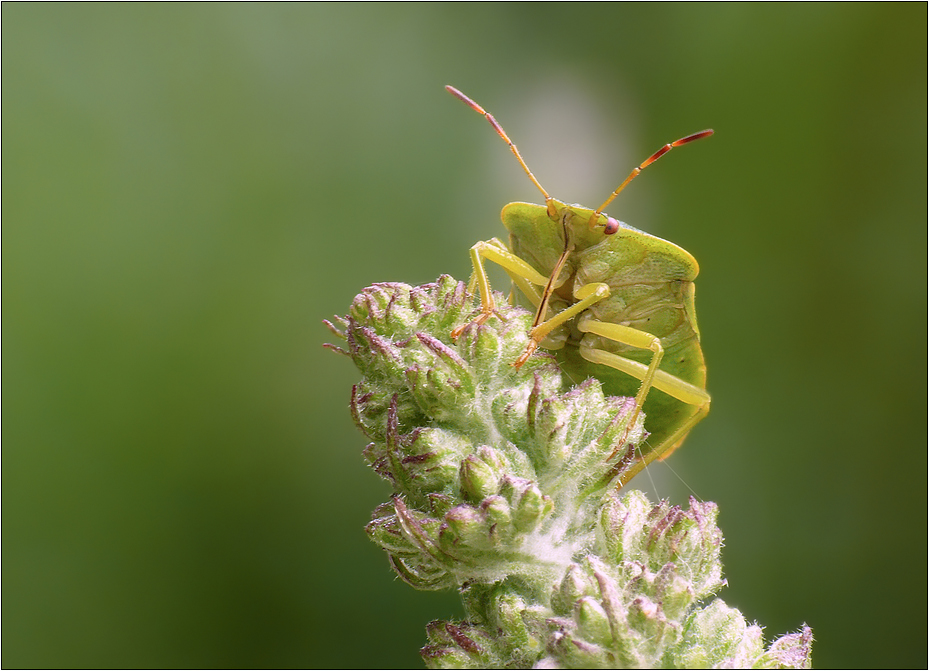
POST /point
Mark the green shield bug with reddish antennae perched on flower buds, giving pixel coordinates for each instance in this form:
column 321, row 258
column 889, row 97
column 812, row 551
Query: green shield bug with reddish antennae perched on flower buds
column 614, row 303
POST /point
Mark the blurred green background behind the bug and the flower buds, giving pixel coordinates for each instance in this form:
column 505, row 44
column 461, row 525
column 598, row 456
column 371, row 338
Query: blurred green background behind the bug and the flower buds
column 189, row 189
